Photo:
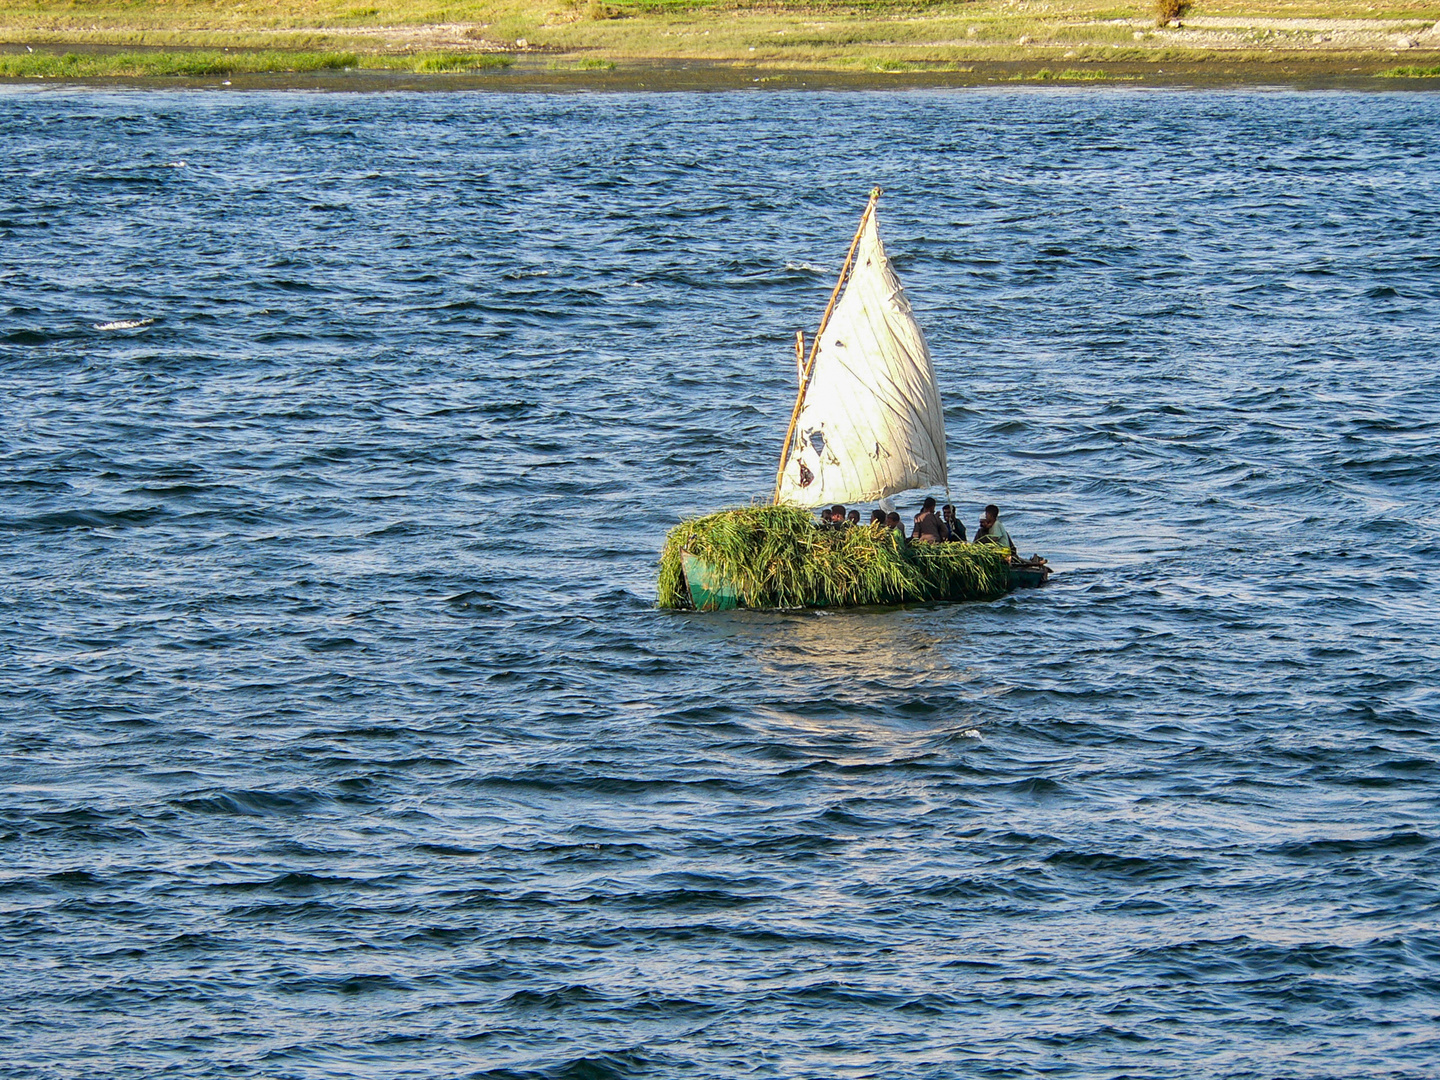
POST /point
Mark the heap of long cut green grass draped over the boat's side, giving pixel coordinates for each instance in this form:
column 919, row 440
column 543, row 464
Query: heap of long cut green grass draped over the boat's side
column 778, row 558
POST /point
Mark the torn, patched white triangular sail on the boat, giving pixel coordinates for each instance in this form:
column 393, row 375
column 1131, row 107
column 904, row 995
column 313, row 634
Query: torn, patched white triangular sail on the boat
column 872, row 423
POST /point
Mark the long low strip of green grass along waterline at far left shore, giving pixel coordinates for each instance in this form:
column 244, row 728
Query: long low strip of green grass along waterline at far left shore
column 211, row 63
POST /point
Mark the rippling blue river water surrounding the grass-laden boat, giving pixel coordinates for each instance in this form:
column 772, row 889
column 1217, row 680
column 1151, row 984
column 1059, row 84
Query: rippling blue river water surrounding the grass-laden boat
column 342, row 737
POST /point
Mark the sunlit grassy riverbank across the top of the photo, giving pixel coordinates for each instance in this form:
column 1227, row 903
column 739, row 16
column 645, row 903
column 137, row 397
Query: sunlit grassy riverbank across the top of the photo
column 1078, row 41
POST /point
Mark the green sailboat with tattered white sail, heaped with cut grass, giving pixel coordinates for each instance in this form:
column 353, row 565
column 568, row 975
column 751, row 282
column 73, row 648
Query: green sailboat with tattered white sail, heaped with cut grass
column 868, row 424
